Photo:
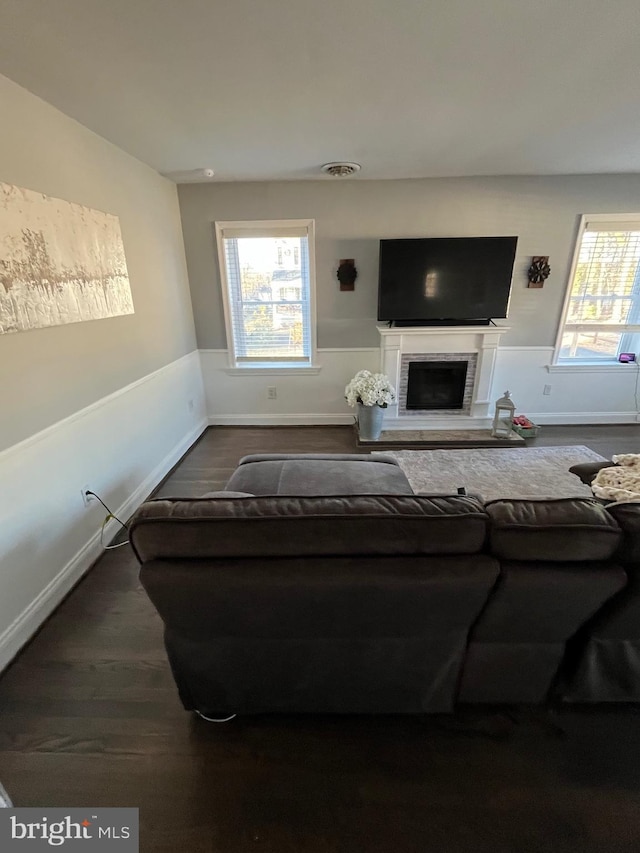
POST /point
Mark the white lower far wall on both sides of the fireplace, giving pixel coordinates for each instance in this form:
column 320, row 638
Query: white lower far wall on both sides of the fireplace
column 578, row 395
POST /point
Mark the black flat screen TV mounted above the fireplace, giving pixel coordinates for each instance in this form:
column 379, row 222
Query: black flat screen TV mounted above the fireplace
column 445, row 280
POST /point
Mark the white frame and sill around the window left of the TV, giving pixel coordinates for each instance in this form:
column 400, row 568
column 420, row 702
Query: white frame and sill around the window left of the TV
column 261, row 228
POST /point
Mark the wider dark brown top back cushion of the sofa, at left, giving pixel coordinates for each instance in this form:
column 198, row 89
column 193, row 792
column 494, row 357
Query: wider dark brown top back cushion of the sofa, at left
column 183, row 528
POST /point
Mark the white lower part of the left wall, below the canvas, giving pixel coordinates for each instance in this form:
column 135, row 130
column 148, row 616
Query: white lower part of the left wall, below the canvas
column 121, row 447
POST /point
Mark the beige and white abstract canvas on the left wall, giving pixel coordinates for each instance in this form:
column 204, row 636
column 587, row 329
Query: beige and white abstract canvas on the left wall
column 60, row 262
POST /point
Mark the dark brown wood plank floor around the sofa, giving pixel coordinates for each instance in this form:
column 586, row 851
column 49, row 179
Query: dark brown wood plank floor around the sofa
column 90, row 717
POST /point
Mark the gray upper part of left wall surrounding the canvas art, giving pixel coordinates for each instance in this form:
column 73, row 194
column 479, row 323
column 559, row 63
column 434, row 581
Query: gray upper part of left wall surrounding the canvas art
column 48, row 374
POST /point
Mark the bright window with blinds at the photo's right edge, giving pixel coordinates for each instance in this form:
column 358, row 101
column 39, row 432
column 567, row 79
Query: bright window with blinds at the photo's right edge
column 602, row 312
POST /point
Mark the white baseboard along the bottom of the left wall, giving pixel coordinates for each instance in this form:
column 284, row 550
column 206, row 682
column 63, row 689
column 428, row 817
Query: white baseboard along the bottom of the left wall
column 32, row 617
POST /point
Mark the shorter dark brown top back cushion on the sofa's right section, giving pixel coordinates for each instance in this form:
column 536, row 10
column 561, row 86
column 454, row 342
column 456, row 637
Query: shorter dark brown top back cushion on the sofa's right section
column 556, row 530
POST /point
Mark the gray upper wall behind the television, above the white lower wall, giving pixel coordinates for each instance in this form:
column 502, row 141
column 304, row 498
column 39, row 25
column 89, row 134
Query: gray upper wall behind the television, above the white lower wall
column 351, row 217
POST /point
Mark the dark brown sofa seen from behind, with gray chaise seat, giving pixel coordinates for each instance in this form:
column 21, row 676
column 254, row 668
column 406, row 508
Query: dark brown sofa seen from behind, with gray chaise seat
column 330, row 587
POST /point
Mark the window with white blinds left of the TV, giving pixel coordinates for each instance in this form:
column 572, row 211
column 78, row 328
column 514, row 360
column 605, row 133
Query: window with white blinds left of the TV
column 267, row 274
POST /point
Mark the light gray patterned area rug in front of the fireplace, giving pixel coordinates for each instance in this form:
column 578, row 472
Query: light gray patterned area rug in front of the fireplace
column 537, row 472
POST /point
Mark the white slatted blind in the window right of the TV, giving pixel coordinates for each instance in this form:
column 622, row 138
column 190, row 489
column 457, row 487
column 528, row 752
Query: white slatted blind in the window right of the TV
column 606, row 284
